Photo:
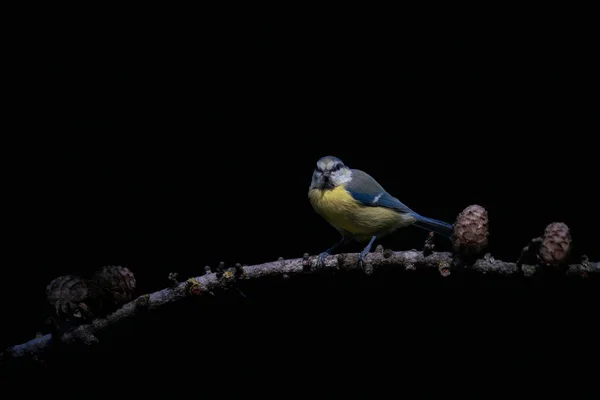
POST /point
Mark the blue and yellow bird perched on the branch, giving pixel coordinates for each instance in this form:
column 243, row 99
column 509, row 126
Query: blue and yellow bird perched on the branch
column 359, row 207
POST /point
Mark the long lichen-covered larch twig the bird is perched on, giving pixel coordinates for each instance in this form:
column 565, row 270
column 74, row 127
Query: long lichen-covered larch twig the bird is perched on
column 410, row 260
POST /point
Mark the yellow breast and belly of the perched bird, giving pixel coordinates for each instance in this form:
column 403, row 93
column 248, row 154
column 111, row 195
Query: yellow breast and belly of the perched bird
column 339, row 209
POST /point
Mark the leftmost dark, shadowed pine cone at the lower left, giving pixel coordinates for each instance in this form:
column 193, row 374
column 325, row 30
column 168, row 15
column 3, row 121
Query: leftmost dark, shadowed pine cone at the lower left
column 74, row 298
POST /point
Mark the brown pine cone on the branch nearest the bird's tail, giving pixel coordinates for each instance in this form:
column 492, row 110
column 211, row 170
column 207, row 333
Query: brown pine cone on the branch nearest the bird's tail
column 470, row 234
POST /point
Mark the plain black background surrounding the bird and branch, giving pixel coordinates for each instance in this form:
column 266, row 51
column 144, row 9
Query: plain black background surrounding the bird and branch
column 167, row 144
